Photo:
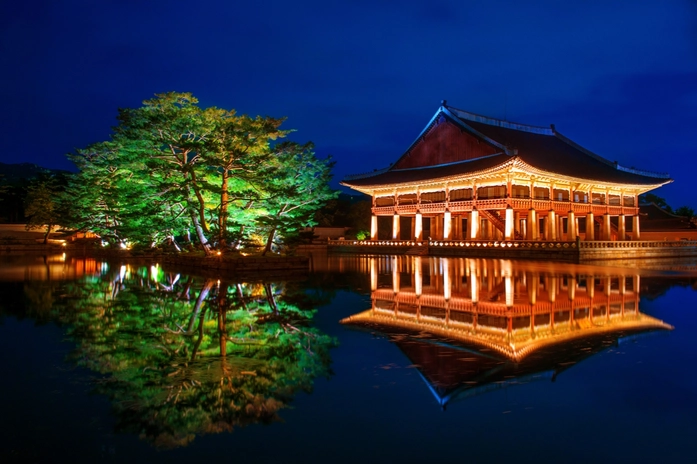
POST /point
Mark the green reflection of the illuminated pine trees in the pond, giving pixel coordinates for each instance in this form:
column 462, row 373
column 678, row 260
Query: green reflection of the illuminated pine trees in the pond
column 193, row 356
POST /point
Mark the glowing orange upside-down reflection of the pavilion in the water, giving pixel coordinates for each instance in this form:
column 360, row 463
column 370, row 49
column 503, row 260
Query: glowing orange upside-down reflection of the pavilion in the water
column 494, row 320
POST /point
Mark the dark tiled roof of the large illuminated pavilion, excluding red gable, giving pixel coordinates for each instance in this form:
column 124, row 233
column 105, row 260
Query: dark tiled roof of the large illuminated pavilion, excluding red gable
column 540, row 147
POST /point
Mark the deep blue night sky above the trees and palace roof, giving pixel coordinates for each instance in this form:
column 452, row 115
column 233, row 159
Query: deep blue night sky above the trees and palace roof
column 361, row 78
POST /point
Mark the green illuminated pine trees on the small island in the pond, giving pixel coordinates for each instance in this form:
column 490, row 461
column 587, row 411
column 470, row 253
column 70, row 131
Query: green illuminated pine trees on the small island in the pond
column 174, row 171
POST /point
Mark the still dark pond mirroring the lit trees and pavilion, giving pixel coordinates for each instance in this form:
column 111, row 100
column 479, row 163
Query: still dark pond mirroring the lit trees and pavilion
column 366, row 359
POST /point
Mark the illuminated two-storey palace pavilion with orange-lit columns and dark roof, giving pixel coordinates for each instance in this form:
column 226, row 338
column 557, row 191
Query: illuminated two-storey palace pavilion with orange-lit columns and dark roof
column 470, row 177
